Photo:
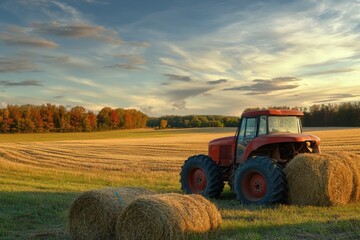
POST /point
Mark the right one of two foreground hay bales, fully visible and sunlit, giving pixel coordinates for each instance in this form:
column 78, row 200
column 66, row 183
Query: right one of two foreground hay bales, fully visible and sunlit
column 167, row 216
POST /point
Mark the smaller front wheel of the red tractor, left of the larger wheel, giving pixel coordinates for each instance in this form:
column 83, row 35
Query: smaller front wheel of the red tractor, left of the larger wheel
column 201, row 175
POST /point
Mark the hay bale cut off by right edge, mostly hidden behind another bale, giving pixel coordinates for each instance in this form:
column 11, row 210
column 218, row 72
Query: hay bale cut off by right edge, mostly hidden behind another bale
column 353, row 161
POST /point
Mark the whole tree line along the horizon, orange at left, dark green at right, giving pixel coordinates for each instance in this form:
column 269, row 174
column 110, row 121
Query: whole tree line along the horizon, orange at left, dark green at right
column 52, row 118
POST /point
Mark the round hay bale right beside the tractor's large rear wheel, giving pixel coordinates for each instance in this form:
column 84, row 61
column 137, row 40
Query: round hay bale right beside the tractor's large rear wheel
column 318, row 179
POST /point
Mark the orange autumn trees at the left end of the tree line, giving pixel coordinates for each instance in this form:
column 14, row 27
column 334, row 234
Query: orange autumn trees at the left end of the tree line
column 52, row 118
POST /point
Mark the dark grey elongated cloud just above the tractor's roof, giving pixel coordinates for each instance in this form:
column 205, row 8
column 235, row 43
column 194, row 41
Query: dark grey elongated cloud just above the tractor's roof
column 263, row 86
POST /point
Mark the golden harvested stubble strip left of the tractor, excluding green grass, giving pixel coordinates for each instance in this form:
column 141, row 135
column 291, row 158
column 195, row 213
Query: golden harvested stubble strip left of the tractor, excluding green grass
column 119, row 155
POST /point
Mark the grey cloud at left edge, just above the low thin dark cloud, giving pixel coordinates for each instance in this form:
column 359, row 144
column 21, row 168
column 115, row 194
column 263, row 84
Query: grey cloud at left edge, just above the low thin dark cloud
column 16, row 65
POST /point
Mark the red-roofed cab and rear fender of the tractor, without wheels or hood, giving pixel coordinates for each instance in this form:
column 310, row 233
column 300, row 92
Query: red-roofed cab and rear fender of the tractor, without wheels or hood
column 274, row 133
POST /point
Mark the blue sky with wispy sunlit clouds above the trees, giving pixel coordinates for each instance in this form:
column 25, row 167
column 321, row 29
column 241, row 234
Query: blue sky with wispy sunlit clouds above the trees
column 179, row 57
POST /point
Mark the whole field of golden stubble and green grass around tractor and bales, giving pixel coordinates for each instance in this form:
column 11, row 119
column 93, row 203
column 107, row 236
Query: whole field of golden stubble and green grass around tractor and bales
column 40, row 178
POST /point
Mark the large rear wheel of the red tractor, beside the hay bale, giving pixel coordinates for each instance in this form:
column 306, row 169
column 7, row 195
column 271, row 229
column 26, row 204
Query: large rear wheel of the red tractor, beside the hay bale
column 260, row 181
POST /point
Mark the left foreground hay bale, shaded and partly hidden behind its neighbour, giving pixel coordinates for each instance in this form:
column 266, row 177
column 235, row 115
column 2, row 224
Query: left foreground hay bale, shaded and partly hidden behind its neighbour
column 93, row 214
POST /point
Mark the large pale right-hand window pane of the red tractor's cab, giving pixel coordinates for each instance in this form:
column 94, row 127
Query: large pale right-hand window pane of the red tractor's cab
column 284, row 124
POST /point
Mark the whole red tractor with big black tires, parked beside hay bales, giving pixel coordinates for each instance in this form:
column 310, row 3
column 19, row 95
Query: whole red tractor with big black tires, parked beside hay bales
column 252, row 161
